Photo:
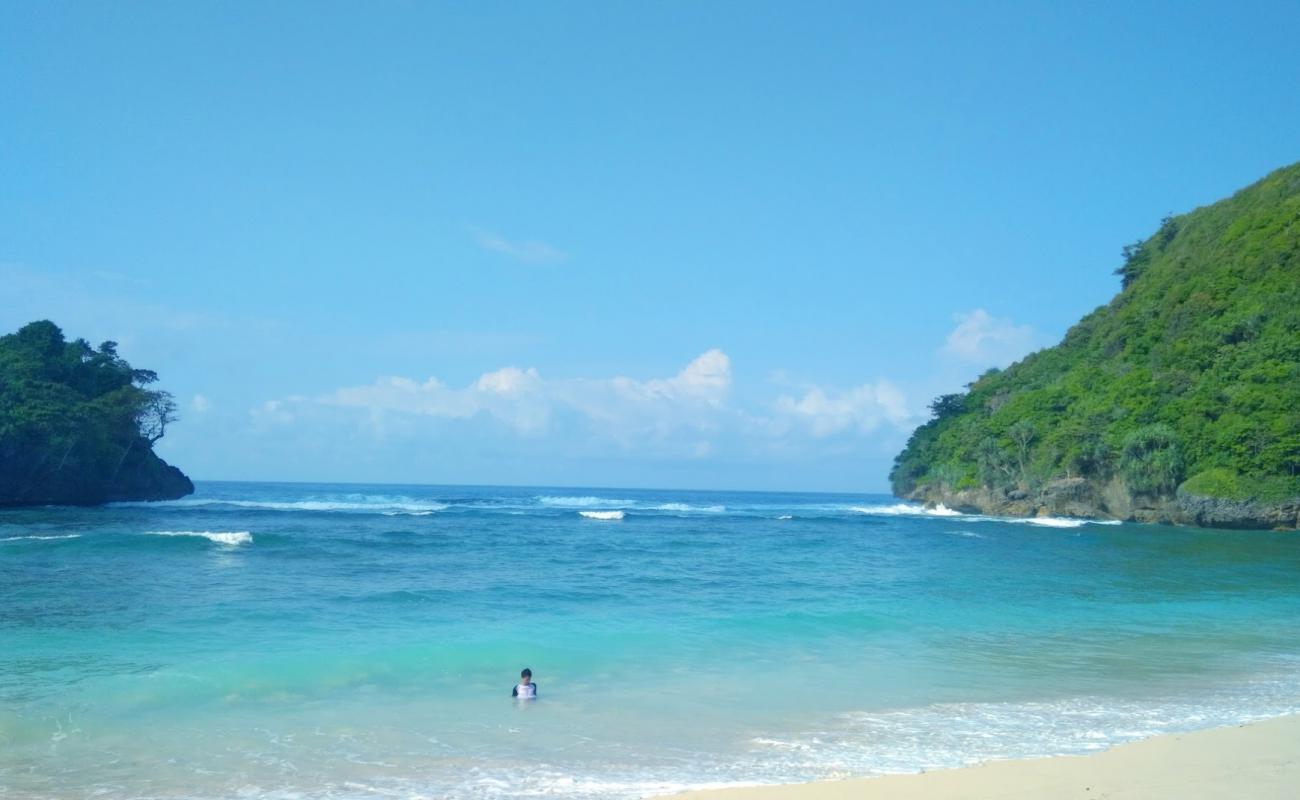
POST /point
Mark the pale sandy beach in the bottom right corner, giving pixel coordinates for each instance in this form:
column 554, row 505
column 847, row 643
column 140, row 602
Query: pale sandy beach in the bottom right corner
column 1258, row 762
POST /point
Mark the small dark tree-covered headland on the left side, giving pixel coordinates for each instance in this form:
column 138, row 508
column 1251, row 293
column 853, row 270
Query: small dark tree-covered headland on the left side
column 79, row 423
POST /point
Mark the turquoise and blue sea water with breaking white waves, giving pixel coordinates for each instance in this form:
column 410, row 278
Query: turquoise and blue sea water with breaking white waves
column 293, row 641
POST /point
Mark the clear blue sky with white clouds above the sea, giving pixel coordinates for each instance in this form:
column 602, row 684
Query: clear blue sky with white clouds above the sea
column 664, row 245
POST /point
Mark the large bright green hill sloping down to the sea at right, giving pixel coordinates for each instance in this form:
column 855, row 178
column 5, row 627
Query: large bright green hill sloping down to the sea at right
column 1178, row 401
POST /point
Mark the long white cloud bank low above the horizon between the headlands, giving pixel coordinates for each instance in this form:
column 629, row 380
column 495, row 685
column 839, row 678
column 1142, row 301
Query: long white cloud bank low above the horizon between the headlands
column 688, row 416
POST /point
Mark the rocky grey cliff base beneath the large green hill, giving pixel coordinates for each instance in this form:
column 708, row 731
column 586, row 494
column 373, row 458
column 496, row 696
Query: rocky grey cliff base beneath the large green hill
column 1084, row 499
